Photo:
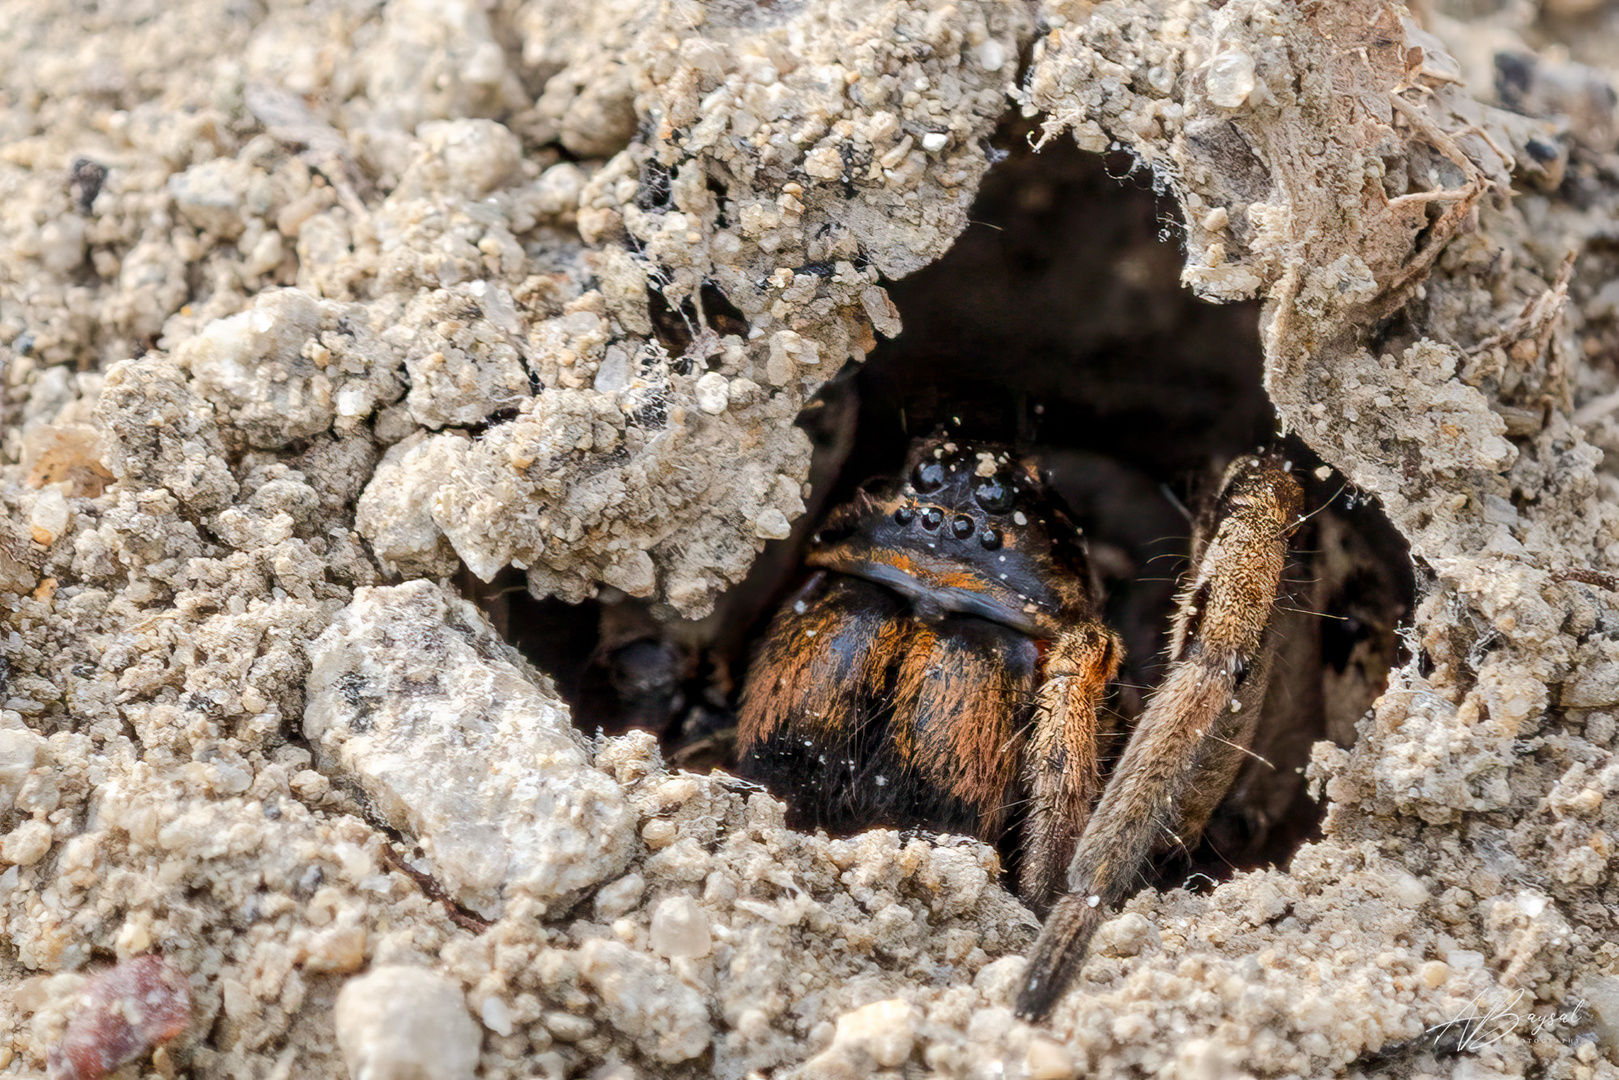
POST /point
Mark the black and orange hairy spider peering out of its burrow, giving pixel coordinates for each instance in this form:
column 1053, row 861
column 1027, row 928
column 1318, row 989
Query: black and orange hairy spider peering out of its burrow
column 946, row 666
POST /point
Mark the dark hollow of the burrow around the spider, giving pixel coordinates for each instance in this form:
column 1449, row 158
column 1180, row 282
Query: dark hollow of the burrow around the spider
column 1056, row 325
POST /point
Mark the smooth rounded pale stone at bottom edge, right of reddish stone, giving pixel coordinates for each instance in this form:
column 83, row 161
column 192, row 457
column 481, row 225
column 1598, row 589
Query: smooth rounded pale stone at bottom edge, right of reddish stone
column 406, row 1024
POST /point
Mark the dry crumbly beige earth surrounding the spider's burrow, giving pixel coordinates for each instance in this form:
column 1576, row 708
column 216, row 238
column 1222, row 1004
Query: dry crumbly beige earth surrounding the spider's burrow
column 305, row 307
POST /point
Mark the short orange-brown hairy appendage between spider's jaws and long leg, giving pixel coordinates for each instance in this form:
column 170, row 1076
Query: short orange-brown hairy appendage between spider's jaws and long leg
column 1061, row 767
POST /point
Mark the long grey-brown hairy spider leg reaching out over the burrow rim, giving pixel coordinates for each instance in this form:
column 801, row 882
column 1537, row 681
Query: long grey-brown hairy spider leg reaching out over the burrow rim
column 1179, row 759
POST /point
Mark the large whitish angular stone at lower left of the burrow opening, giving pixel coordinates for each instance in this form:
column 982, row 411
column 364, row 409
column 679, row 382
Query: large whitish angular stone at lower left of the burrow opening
column 477, row 763
